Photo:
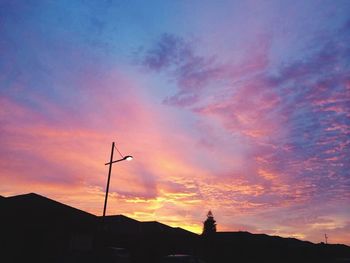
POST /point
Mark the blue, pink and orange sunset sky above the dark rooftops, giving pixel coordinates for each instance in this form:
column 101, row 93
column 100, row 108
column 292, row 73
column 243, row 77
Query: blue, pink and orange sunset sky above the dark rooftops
column 239, row 107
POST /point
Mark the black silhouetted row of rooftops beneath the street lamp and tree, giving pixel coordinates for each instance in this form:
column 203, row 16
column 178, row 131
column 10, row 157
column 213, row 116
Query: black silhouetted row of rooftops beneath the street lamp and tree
column 38, row 229
